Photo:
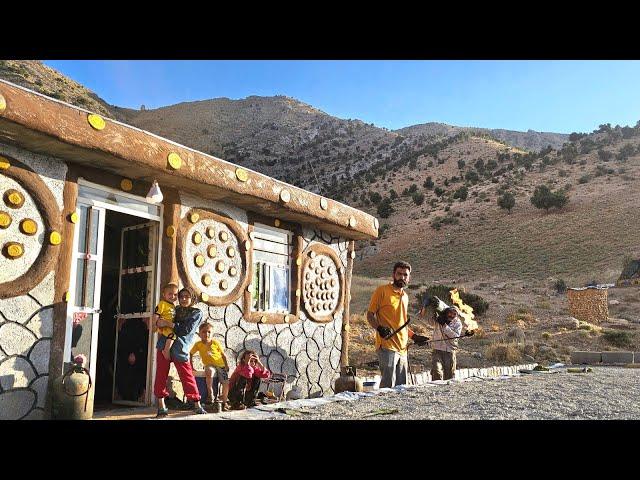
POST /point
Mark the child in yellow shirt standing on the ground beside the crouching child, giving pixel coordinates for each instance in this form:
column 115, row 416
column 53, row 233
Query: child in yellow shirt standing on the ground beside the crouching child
column 214, row 360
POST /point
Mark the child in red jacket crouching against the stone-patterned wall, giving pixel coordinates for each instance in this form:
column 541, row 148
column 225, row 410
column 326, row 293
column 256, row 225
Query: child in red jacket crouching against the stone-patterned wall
column 245, row 381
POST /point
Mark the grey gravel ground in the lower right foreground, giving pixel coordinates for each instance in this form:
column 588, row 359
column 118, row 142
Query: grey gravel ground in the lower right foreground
column 607, row 393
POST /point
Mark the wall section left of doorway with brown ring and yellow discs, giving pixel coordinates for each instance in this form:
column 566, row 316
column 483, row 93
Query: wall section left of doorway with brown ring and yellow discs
column 27, row 282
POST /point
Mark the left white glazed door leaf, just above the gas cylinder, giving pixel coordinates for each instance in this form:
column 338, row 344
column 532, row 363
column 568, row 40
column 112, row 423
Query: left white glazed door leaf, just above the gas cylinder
column 83, row 307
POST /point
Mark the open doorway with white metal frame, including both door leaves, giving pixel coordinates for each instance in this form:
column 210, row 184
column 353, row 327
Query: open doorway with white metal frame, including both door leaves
column 113, row 289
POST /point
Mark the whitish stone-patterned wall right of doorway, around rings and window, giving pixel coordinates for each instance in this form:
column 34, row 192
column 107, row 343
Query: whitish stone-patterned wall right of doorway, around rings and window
column 306, row 351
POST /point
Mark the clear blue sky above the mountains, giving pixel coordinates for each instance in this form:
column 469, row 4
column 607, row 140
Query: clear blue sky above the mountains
column 551, row 96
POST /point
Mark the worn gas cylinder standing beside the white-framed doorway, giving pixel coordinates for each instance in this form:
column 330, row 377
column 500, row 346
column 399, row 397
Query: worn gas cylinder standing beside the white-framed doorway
column 70, row 394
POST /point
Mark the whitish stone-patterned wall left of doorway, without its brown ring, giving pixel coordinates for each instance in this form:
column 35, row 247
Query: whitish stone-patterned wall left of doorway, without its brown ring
column 26, row 321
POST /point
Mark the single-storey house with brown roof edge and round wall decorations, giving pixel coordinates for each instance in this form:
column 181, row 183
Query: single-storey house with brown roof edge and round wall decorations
column 86, row 247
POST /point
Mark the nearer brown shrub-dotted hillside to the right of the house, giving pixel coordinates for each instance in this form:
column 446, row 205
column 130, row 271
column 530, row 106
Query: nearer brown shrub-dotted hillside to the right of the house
column 441, row 212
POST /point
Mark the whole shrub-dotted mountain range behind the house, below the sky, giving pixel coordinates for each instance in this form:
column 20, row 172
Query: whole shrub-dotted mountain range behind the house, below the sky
column 413, row 180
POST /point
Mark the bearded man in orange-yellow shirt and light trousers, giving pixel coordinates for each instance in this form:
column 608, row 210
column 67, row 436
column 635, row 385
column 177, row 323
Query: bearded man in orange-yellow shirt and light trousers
column 388, row 315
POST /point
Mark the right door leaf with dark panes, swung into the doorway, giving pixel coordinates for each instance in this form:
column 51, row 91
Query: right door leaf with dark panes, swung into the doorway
column 136, row 302
